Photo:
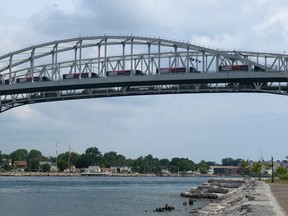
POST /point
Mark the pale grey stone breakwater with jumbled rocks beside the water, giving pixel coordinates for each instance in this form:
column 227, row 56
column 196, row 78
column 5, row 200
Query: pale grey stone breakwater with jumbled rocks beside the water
column 235, row 197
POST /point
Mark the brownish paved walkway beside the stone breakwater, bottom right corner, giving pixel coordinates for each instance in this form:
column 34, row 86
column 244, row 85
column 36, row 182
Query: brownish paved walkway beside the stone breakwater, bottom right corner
column 280, row 192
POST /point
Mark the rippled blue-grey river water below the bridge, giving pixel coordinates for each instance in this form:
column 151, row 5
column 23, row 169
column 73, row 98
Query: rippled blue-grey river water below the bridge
column 135, row 196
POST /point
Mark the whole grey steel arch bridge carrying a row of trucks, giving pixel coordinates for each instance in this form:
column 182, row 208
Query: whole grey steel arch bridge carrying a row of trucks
column 121, row 65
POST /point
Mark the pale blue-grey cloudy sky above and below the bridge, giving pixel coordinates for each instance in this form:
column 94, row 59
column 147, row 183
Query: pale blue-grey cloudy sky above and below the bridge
column 195, row 126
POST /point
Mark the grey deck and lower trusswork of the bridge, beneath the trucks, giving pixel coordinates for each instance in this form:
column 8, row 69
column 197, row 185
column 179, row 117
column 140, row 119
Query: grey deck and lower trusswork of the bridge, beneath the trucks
column 83, row 89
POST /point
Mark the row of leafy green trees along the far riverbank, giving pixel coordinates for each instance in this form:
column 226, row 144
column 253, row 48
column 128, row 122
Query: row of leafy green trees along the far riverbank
column 93, row 157
